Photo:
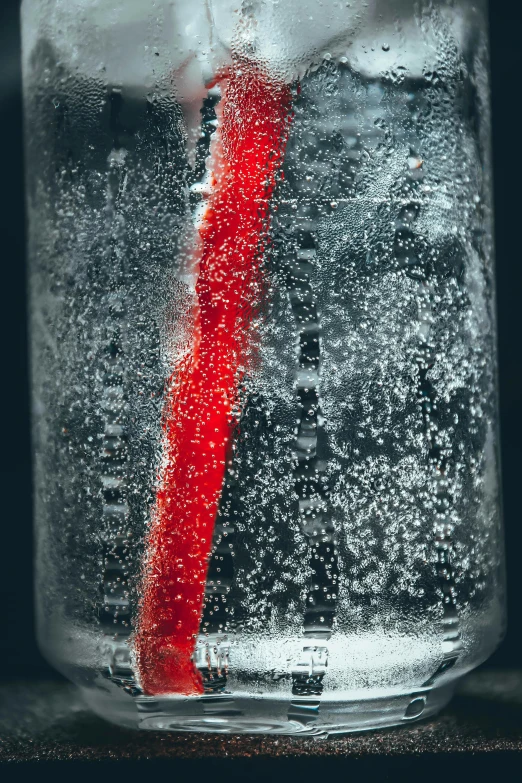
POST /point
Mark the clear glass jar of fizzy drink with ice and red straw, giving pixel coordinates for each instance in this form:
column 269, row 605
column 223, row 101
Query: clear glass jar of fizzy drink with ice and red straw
column 263, row 358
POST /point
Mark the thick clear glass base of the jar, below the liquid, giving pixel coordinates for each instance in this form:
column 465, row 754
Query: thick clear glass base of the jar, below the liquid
column 302, row 716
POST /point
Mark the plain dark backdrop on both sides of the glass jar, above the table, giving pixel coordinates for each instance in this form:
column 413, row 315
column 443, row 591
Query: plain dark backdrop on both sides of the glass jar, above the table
column 19, row 656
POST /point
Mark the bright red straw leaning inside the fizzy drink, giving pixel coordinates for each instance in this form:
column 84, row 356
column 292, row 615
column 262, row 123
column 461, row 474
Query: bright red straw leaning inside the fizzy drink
column 254, row 116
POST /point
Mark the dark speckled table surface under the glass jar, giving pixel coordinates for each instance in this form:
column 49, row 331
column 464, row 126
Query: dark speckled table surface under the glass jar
column 49, row 722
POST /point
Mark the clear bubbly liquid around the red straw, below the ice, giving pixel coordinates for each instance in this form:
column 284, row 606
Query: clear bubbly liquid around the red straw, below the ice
column 357, row 549
